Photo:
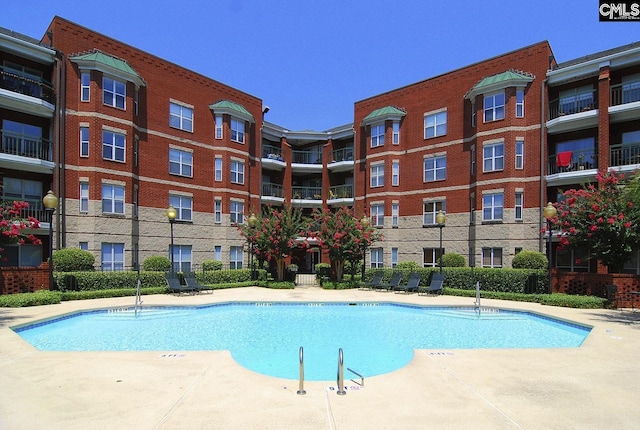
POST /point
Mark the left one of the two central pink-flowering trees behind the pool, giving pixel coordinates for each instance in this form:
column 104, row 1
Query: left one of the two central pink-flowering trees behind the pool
column 273, row 235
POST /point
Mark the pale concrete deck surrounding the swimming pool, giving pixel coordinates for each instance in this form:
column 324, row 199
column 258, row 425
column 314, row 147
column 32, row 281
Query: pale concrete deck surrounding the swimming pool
column 595, row 386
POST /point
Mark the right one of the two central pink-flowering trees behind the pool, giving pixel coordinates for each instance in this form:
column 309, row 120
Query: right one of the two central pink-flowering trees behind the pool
column 342, row 236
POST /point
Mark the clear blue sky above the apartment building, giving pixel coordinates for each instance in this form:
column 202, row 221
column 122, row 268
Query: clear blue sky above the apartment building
column 310, row 61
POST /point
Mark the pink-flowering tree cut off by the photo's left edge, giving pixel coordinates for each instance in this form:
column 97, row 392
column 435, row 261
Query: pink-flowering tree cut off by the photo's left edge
column 13, row 223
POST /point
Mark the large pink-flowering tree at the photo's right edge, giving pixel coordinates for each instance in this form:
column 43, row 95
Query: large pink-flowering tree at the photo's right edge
column 603, row 218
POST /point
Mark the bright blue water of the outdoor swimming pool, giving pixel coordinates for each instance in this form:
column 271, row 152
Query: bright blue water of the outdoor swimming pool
column 266, row 337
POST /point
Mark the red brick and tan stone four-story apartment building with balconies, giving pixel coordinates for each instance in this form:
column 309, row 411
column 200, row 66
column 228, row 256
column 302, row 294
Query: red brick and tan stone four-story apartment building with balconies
column 127, row 134
